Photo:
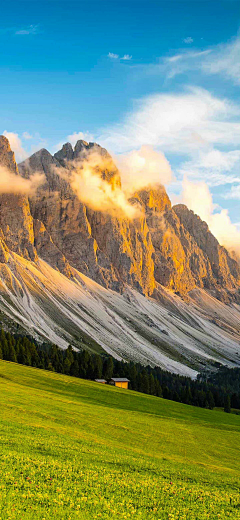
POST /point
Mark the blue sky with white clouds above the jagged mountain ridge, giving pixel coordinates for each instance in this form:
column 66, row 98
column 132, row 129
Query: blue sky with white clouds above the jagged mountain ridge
column 131, row 74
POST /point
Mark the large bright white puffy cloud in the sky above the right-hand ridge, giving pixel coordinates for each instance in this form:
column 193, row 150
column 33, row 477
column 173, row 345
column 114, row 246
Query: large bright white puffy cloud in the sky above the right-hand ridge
column 180, row 123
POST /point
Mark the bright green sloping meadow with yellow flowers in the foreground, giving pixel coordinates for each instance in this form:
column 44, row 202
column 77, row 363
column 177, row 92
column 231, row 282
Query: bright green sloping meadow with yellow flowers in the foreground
column 74, row 449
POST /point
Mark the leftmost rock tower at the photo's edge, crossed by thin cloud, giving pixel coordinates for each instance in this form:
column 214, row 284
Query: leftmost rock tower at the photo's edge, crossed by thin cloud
column 16, row 223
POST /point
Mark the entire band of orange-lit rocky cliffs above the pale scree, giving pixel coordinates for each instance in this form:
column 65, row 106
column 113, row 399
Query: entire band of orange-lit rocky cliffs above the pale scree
column 165, row 245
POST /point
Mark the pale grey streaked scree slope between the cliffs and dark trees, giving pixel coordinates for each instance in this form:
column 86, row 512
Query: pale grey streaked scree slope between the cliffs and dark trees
column 183, row 337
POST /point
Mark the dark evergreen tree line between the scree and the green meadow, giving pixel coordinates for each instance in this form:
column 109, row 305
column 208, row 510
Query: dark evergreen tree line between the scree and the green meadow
column 218, row 389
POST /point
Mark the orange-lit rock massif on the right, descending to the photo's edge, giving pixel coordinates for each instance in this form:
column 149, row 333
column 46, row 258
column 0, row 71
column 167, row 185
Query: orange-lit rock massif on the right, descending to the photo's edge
column 185, row 253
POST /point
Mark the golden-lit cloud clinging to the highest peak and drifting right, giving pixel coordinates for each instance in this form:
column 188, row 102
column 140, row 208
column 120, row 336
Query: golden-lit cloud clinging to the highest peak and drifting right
column 135, row 171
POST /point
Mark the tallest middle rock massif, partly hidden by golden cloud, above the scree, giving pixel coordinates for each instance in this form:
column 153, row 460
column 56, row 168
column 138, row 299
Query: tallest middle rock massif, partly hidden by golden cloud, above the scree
column 111, row 250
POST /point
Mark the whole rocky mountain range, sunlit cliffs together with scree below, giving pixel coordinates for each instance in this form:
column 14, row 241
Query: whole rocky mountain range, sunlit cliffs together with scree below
column 156, row 287
